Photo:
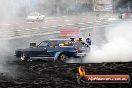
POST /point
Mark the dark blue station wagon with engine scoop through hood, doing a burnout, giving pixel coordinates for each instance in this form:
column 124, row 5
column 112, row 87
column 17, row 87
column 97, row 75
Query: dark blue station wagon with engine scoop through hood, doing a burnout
column 54, row 49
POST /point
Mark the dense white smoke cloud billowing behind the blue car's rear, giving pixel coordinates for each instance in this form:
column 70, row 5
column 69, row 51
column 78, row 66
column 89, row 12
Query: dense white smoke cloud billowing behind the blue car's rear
column 119, row 45
